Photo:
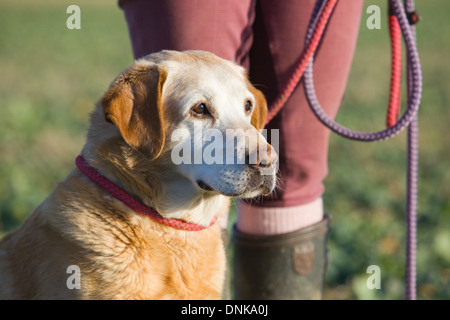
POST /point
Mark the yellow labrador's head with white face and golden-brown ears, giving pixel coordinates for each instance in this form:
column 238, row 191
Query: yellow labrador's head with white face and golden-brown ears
column 202, row 113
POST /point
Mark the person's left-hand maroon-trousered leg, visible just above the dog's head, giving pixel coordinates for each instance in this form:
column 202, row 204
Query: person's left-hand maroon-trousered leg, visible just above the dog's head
column 220, row 27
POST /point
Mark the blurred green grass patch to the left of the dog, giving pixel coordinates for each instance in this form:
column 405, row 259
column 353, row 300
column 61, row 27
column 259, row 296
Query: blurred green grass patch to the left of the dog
column 51, row 77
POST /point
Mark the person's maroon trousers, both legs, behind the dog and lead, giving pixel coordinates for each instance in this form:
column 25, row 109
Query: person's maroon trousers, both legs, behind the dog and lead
column 266, row 37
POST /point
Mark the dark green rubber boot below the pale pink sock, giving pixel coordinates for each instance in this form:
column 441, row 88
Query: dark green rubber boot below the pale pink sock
column 281, row 267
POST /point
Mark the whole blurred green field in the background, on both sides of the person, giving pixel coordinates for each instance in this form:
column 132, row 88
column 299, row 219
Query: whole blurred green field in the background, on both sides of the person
column 51, row 77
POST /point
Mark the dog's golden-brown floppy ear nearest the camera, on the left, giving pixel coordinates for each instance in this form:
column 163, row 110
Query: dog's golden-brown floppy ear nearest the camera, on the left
column 133, row 105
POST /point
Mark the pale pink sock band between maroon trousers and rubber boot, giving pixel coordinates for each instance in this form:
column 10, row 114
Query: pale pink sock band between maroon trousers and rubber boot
column 271, row 221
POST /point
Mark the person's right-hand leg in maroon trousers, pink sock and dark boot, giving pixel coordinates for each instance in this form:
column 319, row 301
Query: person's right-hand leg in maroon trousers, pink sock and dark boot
column 285, row 235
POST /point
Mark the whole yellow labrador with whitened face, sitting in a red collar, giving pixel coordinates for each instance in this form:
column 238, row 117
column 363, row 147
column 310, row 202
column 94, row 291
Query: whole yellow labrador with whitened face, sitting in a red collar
column 136, row 218
